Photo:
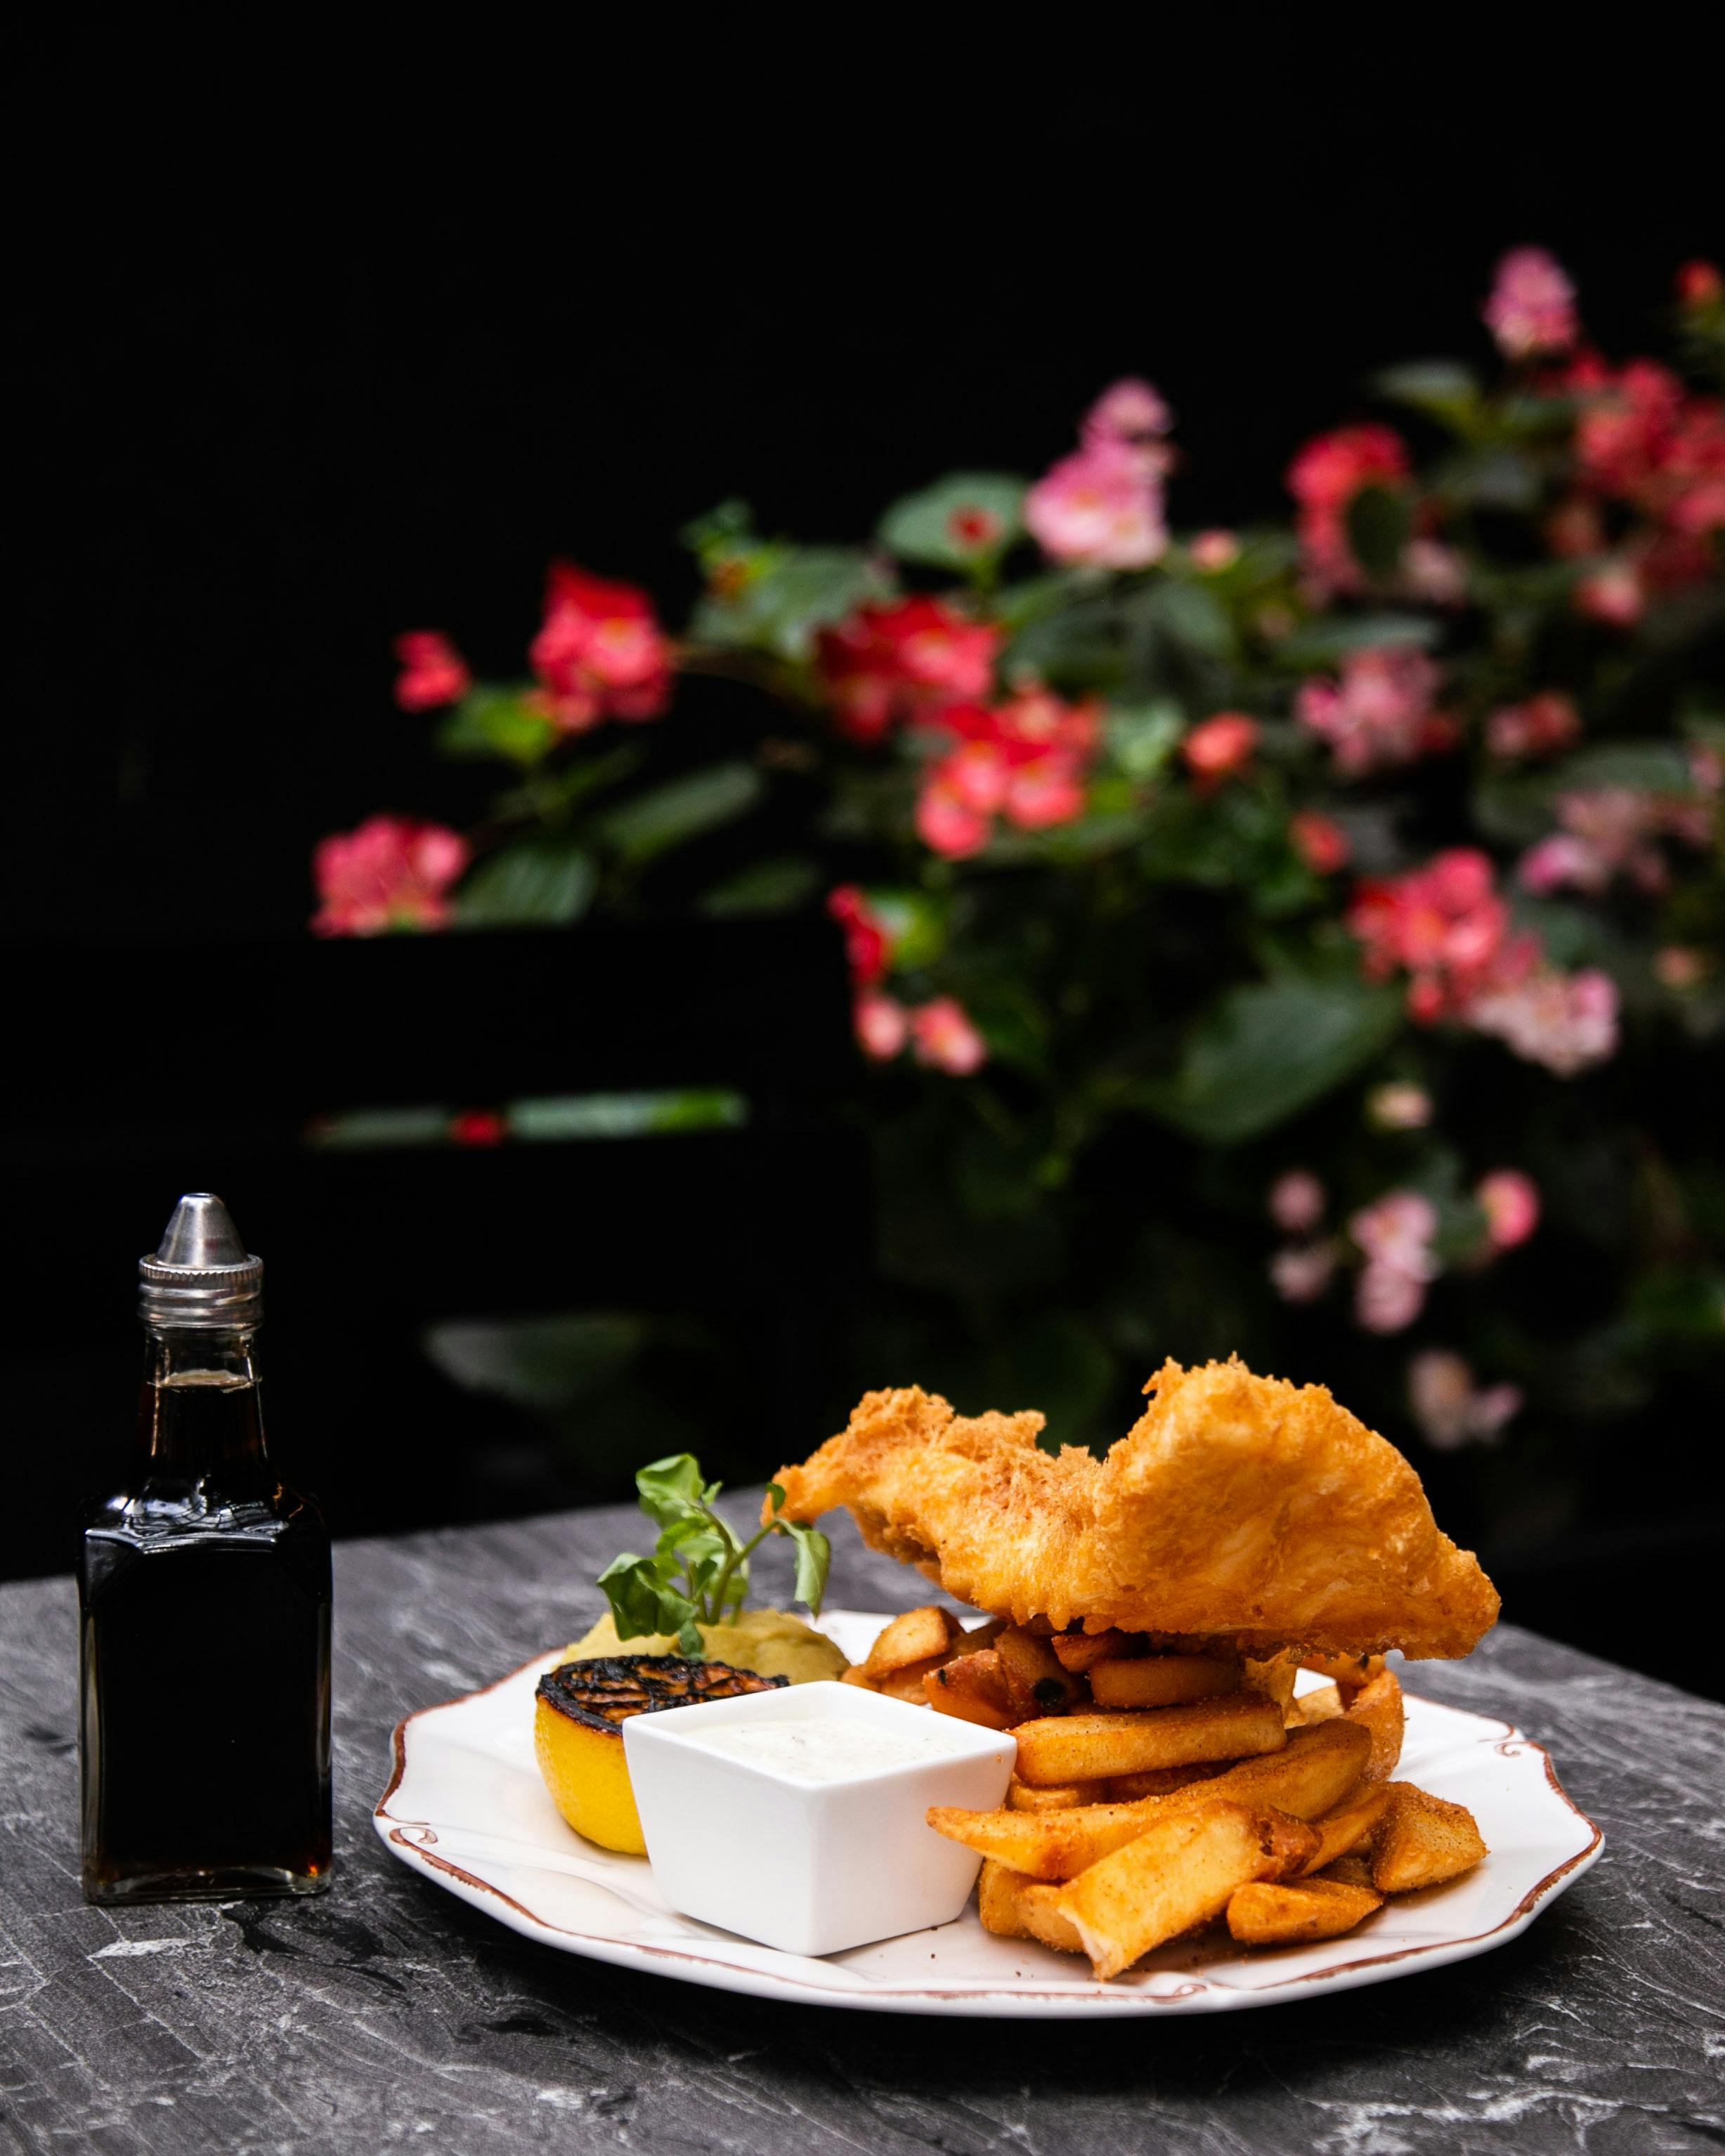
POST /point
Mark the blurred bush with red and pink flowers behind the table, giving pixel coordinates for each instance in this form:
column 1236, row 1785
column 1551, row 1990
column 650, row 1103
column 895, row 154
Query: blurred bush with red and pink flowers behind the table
column 1301, row 939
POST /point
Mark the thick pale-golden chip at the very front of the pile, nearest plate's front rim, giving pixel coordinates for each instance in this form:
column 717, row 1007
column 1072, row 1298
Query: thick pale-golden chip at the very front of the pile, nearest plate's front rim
column 1178, row 1872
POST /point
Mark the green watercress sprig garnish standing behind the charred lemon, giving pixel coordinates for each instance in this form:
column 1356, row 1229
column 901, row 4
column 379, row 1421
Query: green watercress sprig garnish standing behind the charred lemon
column 700, row 1566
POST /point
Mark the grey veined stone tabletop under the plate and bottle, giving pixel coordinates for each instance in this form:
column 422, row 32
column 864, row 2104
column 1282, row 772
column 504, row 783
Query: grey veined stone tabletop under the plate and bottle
column 391, row 2015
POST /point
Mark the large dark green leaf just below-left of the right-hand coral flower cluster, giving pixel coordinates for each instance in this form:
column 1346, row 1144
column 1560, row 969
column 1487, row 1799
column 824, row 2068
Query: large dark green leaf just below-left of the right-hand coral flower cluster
column 1265, row 1053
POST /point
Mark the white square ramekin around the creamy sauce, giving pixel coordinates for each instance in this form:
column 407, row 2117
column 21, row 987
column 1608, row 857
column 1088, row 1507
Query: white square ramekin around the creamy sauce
column 810, row 1868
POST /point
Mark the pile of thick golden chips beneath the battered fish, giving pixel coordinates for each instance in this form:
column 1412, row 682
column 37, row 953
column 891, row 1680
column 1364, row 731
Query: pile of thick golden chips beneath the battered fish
column 1159, row 1788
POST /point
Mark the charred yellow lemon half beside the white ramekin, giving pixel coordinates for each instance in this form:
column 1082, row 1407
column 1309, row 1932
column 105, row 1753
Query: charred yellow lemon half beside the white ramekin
column 579, row 1719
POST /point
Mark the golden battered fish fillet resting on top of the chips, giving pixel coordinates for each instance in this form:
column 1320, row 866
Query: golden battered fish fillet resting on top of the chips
column 1237, row 1506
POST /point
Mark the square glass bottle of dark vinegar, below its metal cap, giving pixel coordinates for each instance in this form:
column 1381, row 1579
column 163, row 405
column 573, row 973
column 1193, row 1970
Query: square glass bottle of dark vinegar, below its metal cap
column 206, row 1607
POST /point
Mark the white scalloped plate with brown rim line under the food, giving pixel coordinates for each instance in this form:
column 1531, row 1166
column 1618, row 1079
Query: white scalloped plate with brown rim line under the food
column 469, row 1810
